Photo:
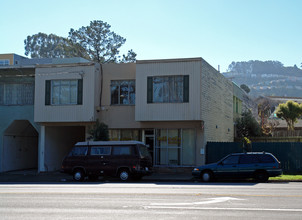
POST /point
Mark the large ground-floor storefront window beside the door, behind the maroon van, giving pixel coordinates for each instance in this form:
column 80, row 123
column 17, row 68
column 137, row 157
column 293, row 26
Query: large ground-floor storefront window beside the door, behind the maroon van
column 175, row 147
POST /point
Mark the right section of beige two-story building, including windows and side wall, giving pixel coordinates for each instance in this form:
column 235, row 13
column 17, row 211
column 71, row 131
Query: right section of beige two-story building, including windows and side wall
column 175, row 106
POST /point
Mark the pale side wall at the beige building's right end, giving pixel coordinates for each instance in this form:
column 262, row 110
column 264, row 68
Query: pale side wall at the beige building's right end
column 216, row 105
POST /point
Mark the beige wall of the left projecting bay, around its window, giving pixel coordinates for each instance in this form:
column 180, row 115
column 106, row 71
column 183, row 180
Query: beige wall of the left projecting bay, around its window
column 67, row 113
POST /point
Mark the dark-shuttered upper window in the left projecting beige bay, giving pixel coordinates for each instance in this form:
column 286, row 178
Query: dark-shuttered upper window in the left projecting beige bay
column 63, row 92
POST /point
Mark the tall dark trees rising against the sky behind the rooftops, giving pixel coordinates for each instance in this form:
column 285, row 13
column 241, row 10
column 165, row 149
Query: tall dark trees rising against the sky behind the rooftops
column 95, row 42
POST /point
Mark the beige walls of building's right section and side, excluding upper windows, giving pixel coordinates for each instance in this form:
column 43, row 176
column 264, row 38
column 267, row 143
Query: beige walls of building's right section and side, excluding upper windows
column 208, row 114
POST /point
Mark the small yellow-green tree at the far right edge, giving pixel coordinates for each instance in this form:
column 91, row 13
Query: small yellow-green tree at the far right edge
column 290, row 112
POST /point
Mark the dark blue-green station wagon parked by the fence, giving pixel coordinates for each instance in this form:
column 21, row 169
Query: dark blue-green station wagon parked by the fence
column 257, row 165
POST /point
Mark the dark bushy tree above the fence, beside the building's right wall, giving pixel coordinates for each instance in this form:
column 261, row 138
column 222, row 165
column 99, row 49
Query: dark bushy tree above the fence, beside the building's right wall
column 247, row 126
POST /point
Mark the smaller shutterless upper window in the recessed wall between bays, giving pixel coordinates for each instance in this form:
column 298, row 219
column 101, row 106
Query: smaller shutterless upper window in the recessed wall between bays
column 123, row 92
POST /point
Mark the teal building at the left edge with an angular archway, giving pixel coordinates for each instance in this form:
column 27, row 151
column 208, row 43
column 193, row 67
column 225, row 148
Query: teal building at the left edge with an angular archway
column 19, row 132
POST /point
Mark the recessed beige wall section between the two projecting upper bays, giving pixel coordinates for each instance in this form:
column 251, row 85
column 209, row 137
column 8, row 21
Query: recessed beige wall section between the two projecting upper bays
column 117, row 116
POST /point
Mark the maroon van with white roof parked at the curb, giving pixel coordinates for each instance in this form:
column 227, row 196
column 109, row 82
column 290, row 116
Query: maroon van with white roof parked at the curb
column 123, row 159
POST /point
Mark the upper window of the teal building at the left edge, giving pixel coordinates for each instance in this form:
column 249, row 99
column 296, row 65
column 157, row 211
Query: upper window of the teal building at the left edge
column 17, row 94
